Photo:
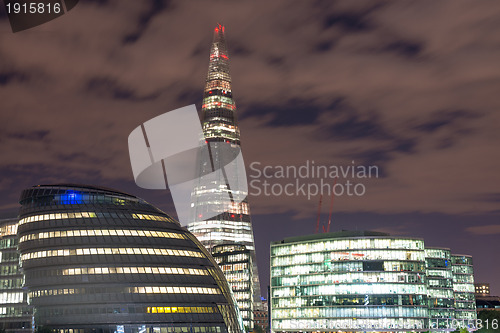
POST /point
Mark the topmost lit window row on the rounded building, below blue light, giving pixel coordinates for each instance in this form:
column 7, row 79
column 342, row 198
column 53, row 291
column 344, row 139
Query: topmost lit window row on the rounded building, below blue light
column 79, row 215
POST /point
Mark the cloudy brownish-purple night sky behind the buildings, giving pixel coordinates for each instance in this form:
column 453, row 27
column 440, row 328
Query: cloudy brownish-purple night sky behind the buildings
column 410, row 87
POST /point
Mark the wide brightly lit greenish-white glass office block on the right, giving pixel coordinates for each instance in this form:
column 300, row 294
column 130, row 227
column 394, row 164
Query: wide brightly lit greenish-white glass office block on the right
column 360, row 281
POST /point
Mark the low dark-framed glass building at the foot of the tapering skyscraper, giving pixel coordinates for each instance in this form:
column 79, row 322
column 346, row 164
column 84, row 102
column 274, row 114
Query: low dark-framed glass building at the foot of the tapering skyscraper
column 236, row 263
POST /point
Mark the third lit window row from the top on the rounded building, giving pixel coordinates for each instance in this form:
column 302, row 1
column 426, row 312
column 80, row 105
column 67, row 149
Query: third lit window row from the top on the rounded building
column 112, row 250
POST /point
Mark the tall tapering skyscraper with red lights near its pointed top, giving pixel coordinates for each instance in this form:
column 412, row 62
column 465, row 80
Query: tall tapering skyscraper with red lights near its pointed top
column 217, row 217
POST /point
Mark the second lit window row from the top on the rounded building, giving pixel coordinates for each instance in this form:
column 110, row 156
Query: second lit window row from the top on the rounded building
column 83, row 233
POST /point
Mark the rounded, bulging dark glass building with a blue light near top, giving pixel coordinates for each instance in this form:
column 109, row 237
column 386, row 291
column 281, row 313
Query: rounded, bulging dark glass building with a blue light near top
column 98, row 259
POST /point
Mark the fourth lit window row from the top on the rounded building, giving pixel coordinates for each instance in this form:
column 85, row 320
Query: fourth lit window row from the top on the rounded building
column 133, row 270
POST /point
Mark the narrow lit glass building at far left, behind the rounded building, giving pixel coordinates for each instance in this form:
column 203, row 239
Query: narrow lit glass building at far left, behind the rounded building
column 15, row 314
